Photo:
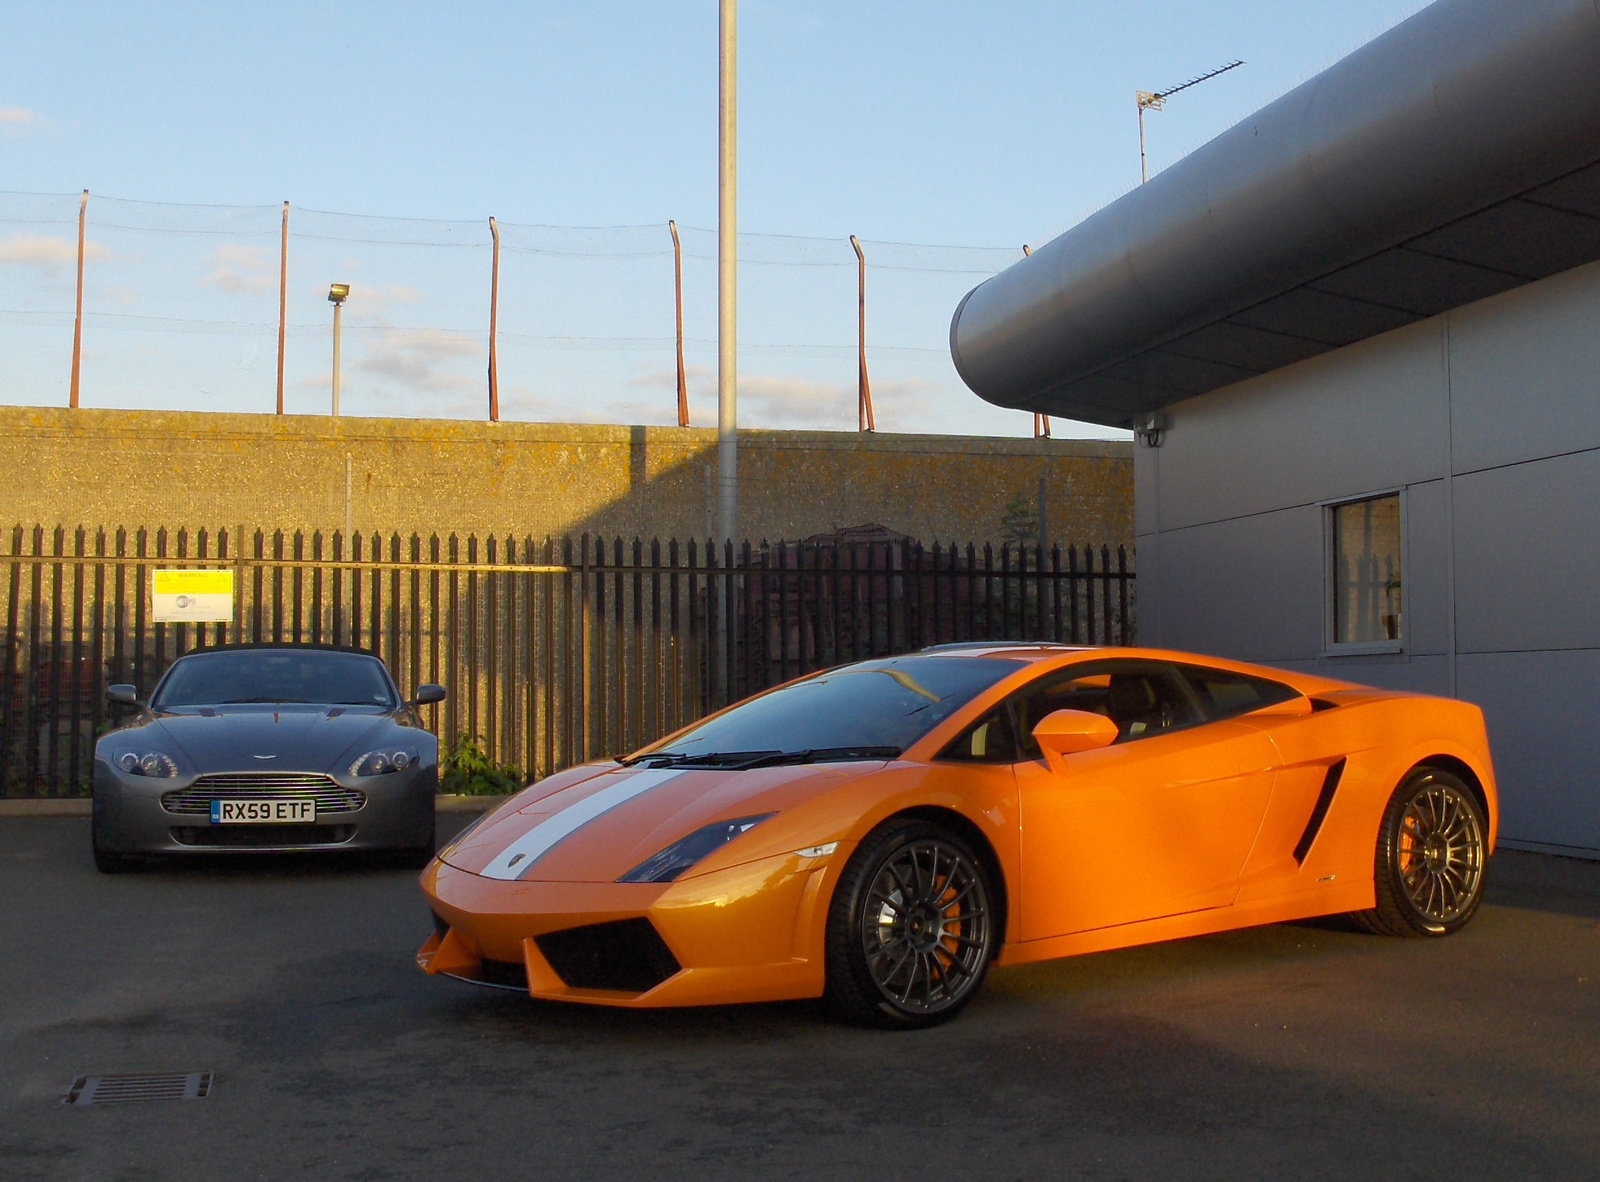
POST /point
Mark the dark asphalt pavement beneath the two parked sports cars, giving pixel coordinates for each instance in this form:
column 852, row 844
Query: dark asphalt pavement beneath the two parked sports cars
column 1302, row 1052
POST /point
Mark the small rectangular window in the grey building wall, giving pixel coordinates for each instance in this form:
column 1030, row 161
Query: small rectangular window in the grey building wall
column 1364, row 551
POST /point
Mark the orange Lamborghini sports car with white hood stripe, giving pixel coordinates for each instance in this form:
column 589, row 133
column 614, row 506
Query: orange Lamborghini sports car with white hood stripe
column 881, row 834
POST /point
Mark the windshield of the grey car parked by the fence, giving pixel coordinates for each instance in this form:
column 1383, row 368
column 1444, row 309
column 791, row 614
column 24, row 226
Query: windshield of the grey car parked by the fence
column 274, row 676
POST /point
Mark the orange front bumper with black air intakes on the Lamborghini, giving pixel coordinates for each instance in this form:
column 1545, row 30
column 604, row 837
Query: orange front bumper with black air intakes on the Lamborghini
column 750, row 933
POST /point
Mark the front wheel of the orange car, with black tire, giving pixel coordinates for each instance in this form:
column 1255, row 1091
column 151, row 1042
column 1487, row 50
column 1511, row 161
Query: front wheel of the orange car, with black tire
column 911, row 928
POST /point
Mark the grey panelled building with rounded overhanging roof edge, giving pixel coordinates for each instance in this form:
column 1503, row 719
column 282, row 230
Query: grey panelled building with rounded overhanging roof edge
column 1359, row 338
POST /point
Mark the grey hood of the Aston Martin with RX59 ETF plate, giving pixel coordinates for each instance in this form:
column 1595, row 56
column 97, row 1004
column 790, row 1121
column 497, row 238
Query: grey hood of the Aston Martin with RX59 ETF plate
column 298, row 740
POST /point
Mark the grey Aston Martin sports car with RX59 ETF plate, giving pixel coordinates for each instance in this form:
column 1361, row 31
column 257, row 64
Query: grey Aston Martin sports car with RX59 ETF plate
column 268, row 748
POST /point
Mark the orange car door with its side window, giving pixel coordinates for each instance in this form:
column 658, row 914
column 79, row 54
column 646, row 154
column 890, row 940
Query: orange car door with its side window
column 1158, row 825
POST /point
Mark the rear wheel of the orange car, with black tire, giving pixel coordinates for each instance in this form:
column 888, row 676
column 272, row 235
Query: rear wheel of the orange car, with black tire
column 1431, row 858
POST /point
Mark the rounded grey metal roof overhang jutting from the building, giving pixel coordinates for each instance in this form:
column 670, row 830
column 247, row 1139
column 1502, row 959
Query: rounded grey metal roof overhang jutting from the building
column 1465, row 106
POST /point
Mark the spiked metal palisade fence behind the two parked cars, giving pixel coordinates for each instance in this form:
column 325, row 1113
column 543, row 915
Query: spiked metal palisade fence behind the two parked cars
column 553, row 652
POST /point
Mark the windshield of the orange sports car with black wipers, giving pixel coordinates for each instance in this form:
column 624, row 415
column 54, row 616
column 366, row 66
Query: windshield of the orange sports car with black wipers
column 874, row 709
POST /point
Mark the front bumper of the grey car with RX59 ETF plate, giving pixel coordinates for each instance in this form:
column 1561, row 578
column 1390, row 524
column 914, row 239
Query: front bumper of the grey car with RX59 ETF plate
column 130, row 818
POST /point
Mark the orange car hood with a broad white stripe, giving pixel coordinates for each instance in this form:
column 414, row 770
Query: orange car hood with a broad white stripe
column 598, row 823
